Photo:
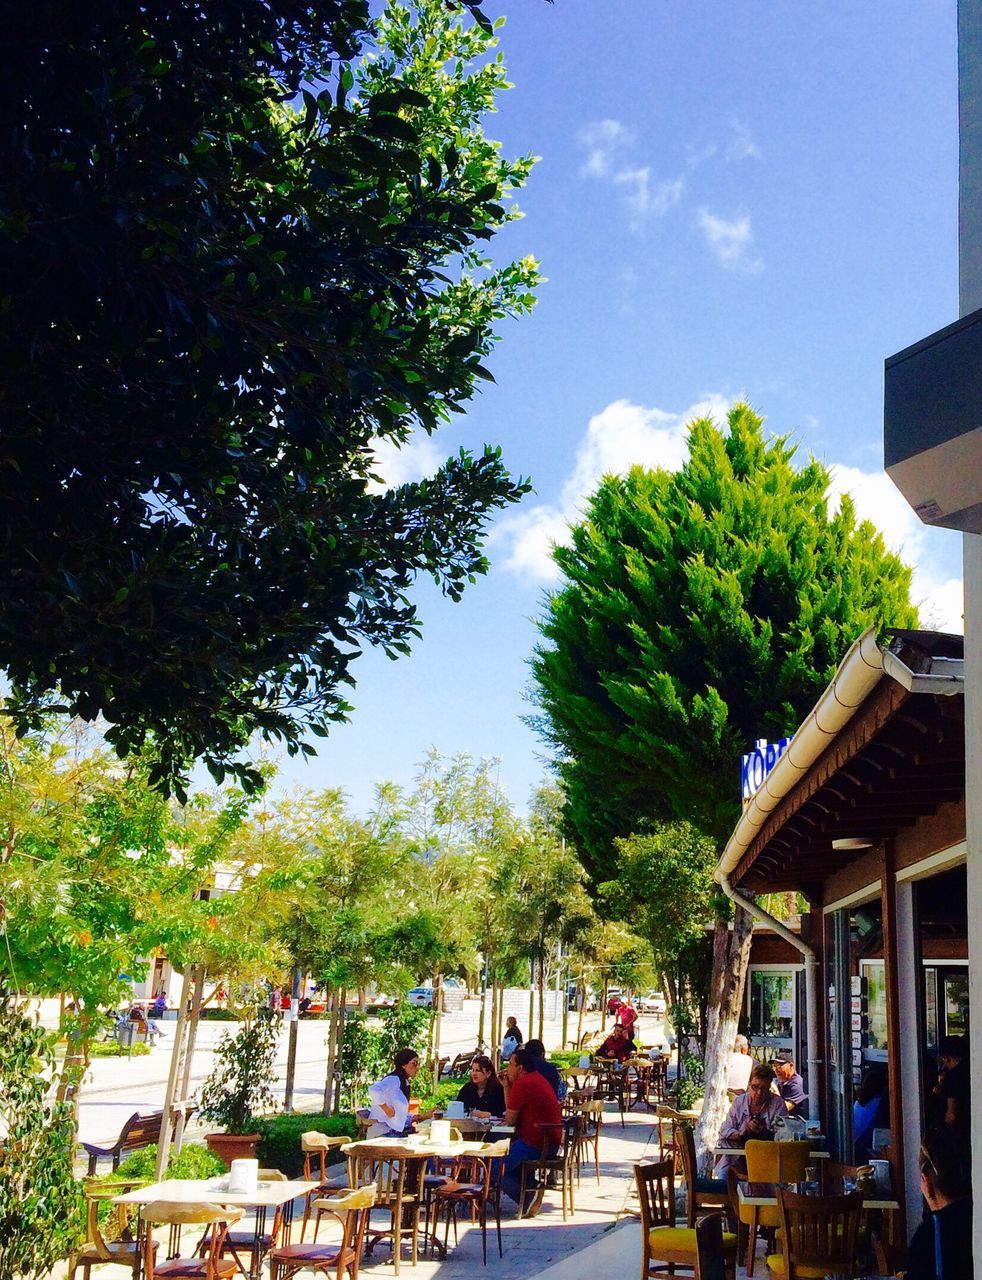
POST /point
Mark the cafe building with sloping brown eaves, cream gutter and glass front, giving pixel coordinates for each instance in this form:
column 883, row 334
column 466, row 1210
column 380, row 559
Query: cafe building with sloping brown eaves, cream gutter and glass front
column 865, row 815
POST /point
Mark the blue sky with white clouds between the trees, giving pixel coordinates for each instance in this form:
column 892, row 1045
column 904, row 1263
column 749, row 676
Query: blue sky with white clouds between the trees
column 743, row 199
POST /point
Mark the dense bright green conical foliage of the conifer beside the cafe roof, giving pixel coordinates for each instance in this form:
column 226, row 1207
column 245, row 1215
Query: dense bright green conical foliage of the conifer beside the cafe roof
column 702, row 610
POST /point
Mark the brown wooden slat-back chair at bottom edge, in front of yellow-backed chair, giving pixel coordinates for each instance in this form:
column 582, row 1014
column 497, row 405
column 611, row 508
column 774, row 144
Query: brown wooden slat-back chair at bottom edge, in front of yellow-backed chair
column 819, row 1236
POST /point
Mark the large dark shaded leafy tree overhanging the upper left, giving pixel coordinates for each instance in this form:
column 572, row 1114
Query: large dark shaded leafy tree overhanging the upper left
column 239, row 252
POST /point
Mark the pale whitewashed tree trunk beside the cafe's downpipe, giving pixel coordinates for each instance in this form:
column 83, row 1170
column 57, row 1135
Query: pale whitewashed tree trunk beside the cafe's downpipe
column 732, row 954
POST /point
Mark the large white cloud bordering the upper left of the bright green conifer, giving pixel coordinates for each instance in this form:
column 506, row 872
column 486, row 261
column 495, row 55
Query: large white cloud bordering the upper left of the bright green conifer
column 618, row 438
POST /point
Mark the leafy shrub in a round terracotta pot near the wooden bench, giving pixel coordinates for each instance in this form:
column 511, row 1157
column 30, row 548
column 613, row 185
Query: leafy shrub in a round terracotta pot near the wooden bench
column 240, row 1087
